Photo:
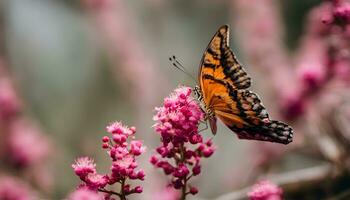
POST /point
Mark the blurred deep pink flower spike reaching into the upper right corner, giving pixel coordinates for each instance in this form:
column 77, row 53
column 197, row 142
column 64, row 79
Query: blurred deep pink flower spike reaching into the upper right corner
column 323, row 56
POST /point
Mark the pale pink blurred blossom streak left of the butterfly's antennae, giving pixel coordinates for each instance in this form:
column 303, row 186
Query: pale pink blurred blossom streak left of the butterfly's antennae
column 116, row 26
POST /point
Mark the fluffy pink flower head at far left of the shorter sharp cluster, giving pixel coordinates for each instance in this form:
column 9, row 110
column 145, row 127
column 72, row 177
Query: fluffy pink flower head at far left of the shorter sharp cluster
column 84, row 166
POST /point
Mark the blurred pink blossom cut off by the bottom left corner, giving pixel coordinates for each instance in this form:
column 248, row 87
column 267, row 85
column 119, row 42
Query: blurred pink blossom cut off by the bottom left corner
column 12, row 188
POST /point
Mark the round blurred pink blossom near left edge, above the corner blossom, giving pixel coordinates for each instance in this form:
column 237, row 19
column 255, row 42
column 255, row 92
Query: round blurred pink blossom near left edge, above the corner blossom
column 27, row 144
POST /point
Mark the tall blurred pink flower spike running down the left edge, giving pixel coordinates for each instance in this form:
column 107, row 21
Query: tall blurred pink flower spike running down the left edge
column 24, row 148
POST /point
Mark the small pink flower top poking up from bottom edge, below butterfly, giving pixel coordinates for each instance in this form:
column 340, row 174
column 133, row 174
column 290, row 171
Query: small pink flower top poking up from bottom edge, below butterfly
column 265, row 190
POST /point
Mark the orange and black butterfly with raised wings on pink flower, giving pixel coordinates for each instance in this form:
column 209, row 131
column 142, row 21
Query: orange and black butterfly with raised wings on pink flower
column 223, row 90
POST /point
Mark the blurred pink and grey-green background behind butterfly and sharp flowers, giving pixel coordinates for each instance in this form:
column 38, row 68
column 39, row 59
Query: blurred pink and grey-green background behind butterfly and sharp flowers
column 69, row 68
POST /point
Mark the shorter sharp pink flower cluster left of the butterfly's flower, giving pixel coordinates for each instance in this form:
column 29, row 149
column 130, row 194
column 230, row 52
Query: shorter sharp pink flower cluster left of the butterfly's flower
column 123, row 156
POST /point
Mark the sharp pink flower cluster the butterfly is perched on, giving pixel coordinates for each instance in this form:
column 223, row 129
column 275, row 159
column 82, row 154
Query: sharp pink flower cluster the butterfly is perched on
column 182, row 146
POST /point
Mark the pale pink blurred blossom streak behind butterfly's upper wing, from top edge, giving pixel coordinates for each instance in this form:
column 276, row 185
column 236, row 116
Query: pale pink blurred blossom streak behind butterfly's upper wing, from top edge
column 260, row 36
